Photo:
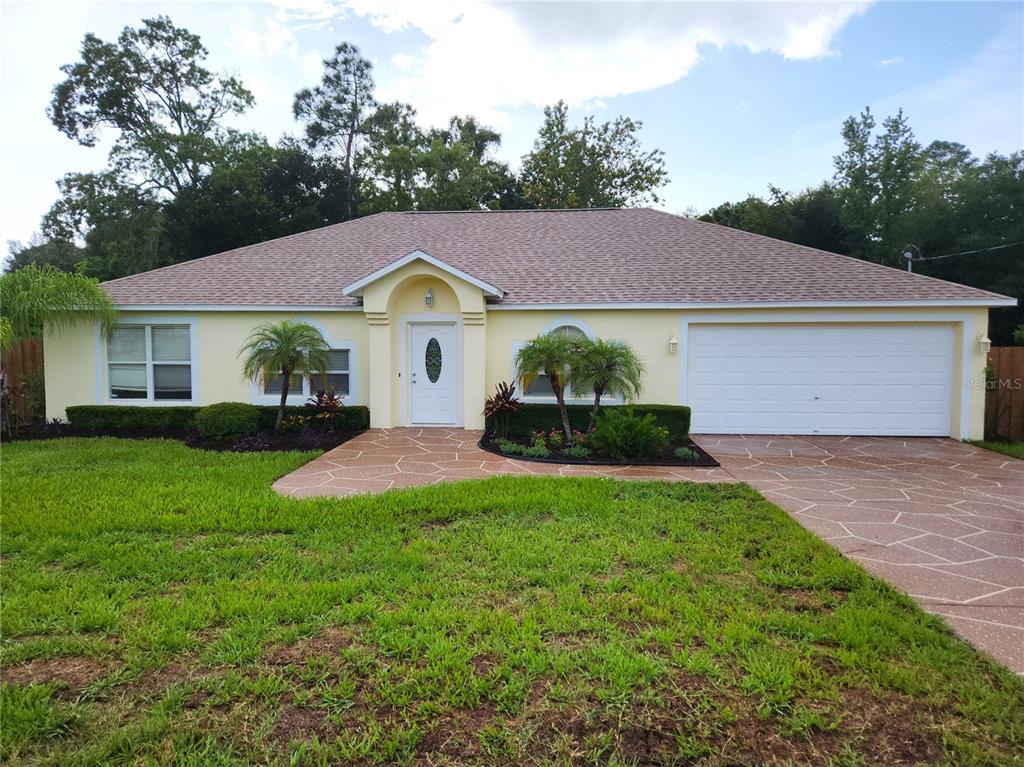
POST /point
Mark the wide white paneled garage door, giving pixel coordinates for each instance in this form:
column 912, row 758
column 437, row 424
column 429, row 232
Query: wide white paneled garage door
column 759, row 379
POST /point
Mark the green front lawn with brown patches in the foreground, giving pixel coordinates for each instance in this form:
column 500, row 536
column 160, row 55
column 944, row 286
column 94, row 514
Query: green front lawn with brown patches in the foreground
column 162, row 606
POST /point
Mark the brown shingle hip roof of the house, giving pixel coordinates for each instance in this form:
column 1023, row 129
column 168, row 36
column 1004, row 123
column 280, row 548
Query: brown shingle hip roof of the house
column 634, row 255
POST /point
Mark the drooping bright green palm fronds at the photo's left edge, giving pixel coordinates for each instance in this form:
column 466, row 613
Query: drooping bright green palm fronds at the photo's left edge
column 34, row 296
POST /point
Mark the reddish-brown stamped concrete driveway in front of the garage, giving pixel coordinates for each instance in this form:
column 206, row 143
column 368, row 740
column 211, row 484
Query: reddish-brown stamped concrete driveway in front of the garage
column 940, row 520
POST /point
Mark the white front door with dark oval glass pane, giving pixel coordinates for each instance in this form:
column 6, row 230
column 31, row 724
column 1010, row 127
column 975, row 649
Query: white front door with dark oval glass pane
column 434, row 374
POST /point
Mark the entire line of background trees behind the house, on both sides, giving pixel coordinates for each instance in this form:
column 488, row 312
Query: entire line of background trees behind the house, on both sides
column 180, row 184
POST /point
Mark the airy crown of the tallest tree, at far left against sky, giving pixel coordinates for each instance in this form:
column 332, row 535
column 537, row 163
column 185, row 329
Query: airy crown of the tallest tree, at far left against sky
column 152, row 88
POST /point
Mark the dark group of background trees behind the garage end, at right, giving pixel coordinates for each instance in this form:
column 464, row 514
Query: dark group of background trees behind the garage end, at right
column 890, row 195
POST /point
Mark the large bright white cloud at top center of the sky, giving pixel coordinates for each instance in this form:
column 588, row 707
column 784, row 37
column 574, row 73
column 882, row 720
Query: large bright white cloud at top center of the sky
column 486, row 59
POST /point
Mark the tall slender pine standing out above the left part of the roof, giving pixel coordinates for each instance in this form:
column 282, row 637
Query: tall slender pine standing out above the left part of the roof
column 336, row 112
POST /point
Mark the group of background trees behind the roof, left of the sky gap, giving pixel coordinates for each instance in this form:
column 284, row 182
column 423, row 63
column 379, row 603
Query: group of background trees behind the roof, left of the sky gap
column 180, row 184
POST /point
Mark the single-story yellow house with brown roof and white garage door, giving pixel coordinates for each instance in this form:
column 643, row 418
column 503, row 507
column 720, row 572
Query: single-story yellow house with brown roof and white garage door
column 425, row 312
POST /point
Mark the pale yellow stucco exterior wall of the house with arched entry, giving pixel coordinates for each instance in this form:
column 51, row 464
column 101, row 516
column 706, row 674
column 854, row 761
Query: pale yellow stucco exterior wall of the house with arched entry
column 75, row 377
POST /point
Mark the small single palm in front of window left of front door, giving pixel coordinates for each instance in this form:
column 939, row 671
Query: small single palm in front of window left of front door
column 284, row 349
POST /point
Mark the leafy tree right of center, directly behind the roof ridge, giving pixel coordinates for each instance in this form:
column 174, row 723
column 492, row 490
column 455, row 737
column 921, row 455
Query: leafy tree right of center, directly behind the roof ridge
column 594, row 166
